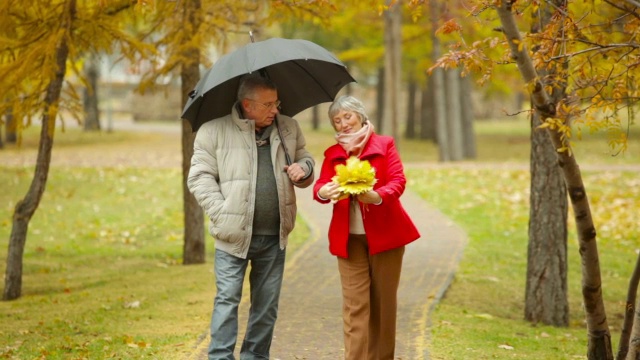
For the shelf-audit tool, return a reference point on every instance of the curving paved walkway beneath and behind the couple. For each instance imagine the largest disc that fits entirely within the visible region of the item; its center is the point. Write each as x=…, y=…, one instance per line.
x=310, y=323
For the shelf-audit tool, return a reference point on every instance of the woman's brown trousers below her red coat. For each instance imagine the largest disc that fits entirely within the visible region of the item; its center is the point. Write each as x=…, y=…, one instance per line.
x=369, y=300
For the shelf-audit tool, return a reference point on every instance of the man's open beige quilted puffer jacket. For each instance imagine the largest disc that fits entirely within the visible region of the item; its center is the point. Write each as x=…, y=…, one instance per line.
x=222, y=177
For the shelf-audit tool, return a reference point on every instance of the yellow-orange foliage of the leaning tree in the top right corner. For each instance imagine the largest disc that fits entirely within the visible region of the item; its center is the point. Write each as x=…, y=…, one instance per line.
x=590, y=69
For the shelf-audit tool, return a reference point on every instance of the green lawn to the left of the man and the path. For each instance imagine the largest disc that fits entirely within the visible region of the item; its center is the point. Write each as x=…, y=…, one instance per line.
x=102, y=274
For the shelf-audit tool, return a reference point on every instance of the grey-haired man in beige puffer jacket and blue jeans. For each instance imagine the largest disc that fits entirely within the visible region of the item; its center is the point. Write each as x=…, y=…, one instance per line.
x=240, y=176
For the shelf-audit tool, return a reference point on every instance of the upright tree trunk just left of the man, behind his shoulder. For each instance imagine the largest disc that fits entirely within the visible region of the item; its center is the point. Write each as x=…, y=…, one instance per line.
x=194, y=250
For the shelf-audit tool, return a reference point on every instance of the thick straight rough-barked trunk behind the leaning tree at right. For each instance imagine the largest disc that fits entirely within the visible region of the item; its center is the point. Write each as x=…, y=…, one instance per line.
x=546, y=298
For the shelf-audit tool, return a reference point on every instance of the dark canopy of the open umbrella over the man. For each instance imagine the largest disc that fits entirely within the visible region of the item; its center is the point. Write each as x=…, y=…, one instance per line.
x=305, y=73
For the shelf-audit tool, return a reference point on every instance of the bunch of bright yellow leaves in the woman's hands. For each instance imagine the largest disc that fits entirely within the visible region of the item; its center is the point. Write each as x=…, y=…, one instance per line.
x=355, y=177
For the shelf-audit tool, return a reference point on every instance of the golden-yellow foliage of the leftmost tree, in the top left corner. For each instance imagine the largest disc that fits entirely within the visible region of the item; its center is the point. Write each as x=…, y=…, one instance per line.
x=37, y=29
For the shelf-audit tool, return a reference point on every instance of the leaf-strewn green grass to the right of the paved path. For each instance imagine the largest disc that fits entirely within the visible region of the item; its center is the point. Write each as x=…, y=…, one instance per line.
x=484, y=308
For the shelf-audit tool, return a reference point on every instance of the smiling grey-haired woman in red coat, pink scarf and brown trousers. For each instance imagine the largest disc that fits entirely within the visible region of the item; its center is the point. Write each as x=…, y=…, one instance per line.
x=367, y=233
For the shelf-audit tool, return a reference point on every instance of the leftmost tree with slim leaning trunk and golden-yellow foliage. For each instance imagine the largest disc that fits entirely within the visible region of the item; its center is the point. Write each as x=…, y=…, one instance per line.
x=50, y=38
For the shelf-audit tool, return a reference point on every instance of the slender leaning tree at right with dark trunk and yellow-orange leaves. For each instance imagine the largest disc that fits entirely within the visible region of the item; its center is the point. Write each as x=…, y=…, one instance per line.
x=599, y=46
